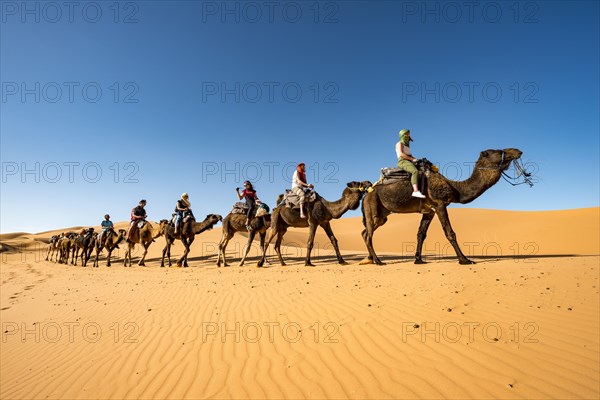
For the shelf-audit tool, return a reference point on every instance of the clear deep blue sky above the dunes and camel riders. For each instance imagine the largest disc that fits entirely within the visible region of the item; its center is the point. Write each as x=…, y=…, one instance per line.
x=162, y=98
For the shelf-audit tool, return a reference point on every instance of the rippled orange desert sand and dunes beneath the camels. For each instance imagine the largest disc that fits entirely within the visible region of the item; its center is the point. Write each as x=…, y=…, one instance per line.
x=521, y=323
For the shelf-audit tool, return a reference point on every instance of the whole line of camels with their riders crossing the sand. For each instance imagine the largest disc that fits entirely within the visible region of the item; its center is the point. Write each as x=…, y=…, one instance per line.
x=415, y=186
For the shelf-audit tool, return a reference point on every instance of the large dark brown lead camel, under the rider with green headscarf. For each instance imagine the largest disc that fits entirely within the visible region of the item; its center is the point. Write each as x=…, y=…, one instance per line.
x=396, y=197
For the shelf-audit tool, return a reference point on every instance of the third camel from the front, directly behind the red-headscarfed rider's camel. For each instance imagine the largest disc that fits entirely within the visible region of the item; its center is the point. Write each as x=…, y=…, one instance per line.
x=237, y=223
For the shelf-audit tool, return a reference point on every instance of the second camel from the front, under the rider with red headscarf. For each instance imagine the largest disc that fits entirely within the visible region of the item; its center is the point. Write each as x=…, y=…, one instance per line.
x=320, y=212
